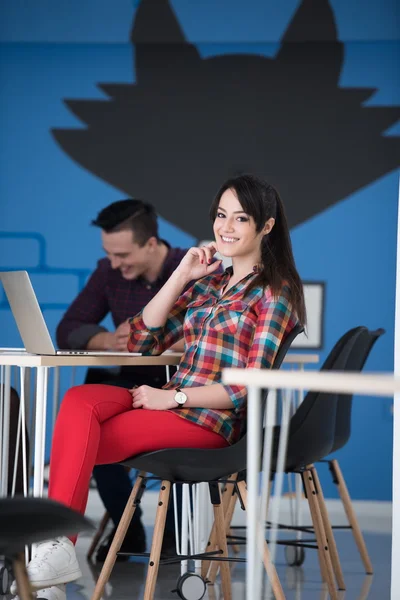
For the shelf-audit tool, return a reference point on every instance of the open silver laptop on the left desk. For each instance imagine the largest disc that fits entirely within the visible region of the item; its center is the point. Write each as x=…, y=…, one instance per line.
x=29, y=318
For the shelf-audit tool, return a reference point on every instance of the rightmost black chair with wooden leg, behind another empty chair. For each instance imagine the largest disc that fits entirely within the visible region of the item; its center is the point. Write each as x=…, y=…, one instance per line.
x=356, y=361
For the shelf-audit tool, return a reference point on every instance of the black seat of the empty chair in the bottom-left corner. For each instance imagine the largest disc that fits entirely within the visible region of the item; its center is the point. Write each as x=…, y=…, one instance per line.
x=29, y=520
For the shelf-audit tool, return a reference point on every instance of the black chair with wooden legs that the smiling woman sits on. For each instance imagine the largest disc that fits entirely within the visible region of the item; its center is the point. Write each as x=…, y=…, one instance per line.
x=188, y=466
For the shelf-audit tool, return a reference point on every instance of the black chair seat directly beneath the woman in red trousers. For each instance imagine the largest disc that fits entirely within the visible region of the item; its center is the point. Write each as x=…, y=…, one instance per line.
x=191, y=464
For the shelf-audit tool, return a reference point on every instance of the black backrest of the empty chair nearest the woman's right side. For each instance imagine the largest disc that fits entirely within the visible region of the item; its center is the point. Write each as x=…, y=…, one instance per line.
x=312, y=427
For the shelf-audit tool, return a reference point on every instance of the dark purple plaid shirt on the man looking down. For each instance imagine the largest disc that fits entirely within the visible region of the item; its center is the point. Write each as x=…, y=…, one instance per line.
x=108, y=292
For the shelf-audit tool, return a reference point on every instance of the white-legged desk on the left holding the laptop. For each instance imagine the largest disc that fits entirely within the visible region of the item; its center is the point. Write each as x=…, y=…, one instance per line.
x=42, y=364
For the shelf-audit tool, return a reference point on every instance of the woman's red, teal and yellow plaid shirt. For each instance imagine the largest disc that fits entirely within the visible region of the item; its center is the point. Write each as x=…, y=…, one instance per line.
x=234, y=330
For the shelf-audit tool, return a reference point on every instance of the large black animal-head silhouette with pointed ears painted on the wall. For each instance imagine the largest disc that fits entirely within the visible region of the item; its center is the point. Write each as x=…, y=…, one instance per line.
x=187, y=122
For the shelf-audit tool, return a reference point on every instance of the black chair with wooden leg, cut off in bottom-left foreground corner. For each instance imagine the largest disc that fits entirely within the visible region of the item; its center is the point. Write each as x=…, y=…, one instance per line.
x=24, y=521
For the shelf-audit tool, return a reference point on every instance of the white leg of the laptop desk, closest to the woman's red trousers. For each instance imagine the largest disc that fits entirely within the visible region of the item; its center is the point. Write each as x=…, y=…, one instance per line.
x=40, y=430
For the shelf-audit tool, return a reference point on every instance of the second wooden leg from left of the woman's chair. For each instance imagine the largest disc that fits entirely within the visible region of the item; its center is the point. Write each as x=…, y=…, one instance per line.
x=159, y=526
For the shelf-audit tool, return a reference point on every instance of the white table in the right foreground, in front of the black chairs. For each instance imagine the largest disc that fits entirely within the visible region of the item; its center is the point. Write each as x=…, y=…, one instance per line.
x=255, y=380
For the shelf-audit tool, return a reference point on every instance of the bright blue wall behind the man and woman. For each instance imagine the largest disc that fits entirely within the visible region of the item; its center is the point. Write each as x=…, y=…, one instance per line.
x=50, y=51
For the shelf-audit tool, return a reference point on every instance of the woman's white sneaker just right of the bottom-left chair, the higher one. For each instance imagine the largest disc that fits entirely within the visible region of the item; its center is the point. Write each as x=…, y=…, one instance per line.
x=54, y=562
